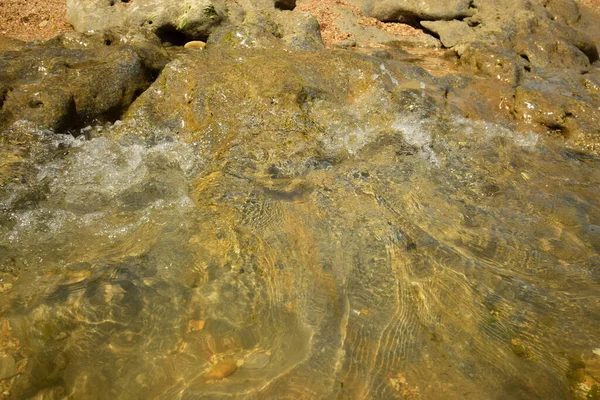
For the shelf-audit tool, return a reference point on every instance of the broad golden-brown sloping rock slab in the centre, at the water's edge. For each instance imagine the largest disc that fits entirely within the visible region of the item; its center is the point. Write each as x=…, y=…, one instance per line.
x=303, y=98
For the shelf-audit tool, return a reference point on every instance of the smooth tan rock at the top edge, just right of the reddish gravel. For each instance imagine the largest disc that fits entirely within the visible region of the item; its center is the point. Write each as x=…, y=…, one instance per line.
x=406, y=10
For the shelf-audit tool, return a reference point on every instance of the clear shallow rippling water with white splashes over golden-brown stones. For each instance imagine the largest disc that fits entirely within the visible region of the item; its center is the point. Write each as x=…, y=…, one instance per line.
x=442, y=259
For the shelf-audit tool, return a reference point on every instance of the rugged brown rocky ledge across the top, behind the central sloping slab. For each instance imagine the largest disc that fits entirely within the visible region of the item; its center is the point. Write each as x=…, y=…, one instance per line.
x=529, y=64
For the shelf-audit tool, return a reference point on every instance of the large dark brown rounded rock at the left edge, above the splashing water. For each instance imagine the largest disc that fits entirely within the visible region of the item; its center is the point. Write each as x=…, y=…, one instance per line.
x=73, y=79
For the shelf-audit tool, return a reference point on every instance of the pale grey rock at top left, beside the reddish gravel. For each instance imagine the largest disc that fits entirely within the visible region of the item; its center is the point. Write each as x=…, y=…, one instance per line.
x=192, y=20
